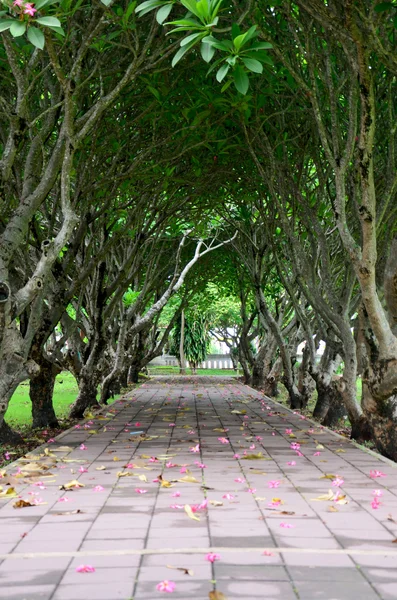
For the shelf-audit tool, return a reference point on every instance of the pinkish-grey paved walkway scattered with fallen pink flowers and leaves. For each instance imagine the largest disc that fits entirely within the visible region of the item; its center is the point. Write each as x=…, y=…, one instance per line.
x=213, y=441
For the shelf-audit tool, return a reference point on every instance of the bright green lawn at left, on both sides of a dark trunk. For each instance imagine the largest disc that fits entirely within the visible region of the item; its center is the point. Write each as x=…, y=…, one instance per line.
x=19, y=411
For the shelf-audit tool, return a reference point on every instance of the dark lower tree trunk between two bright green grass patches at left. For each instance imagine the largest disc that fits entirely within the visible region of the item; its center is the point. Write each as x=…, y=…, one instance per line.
x=41, y=392
